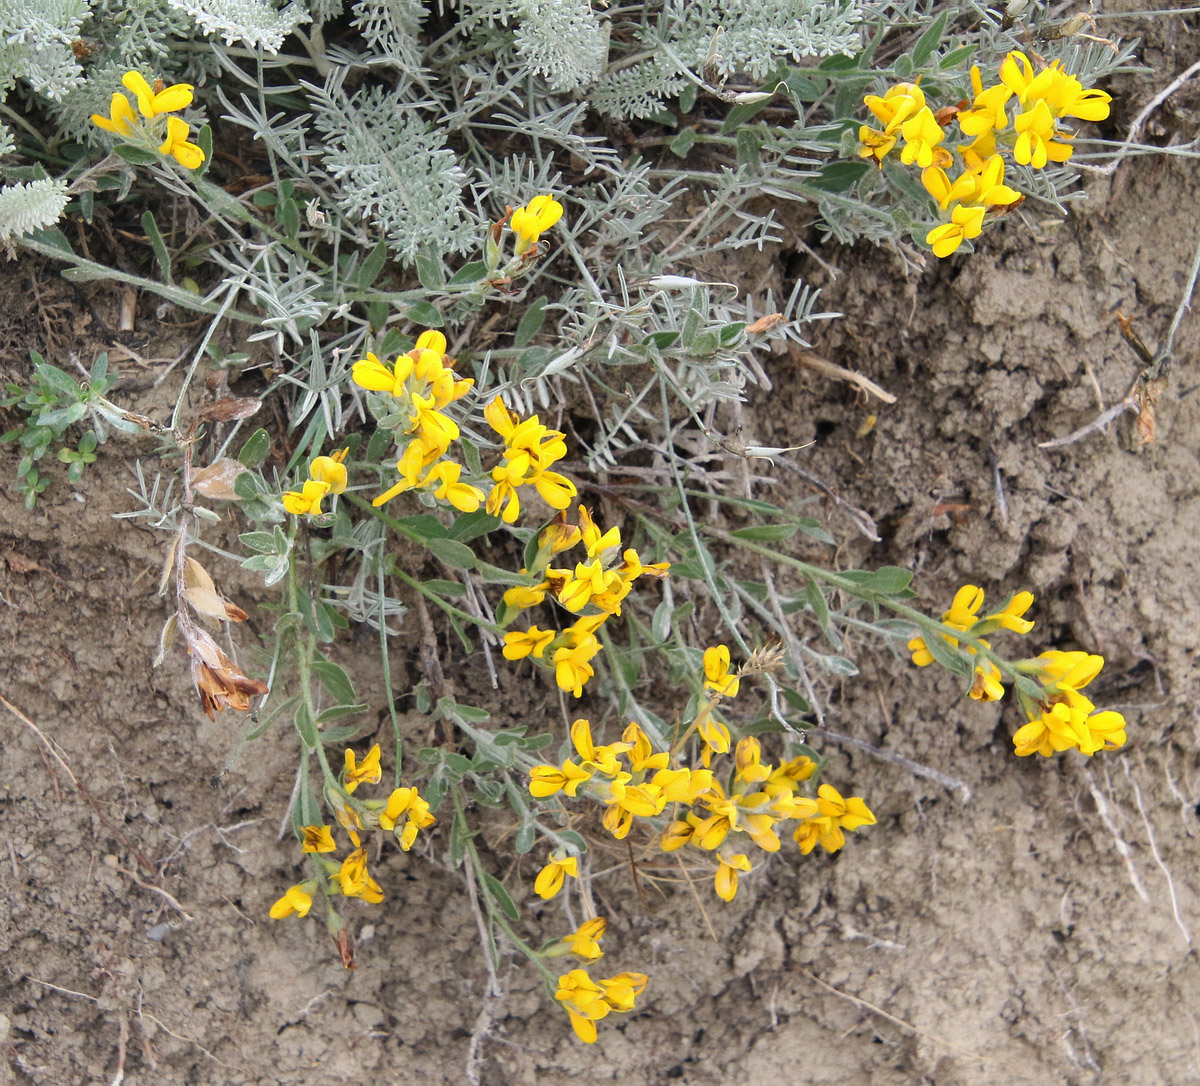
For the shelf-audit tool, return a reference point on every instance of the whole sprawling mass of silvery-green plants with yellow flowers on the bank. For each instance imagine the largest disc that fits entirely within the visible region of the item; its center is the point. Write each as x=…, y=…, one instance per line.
x=506, y=375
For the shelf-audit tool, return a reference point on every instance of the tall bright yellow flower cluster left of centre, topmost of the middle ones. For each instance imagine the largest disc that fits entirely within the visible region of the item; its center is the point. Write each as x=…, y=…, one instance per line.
x=423, y=383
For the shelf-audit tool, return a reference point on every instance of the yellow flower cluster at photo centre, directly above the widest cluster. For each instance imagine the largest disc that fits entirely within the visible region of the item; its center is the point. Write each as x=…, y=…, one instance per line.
x=599, y=585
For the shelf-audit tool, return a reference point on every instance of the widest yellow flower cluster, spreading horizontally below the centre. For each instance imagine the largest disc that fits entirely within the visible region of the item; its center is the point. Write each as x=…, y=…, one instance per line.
x=635, y=782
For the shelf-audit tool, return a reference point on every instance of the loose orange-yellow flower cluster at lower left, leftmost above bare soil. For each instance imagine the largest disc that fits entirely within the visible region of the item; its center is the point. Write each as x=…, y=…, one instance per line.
x=351, y=877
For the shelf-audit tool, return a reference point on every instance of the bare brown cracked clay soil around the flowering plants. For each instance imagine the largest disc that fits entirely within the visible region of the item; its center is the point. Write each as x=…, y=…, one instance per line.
x=1034, y=927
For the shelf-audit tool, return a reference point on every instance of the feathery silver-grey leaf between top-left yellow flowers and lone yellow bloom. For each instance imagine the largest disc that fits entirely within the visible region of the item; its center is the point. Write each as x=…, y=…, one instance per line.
x=392, y=167
